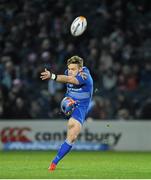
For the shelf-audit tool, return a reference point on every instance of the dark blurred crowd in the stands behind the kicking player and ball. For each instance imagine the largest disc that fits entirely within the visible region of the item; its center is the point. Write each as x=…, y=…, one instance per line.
x=116, y=47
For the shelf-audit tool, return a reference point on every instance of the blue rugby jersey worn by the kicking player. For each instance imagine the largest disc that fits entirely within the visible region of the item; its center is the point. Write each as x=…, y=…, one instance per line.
x=82, y=92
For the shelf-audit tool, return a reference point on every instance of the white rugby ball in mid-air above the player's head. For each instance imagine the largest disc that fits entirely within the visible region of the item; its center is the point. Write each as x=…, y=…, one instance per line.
x=78, y=26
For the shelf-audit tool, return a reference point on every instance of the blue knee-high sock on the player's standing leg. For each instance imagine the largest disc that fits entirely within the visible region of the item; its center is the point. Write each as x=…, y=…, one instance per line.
x=64, y=149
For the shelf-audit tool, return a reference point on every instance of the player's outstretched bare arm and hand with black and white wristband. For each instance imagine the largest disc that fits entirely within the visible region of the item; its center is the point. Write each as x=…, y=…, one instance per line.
x=59, y=78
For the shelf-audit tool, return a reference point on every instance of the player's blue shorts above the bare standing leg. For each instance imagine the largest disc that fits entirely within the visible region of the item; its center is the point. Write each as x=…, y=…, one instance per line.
x=80, y=113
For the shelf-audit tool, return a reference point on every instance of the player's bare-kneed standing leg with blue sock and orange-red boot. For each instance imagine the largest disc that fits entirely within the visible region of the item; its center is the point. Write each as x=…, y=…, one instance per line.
x=74, y=128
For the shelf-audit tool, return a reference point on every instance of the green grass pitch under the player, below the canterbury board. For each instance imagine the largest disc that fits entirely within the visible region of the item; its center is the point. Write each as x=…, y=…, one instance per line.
x=77, y=165
